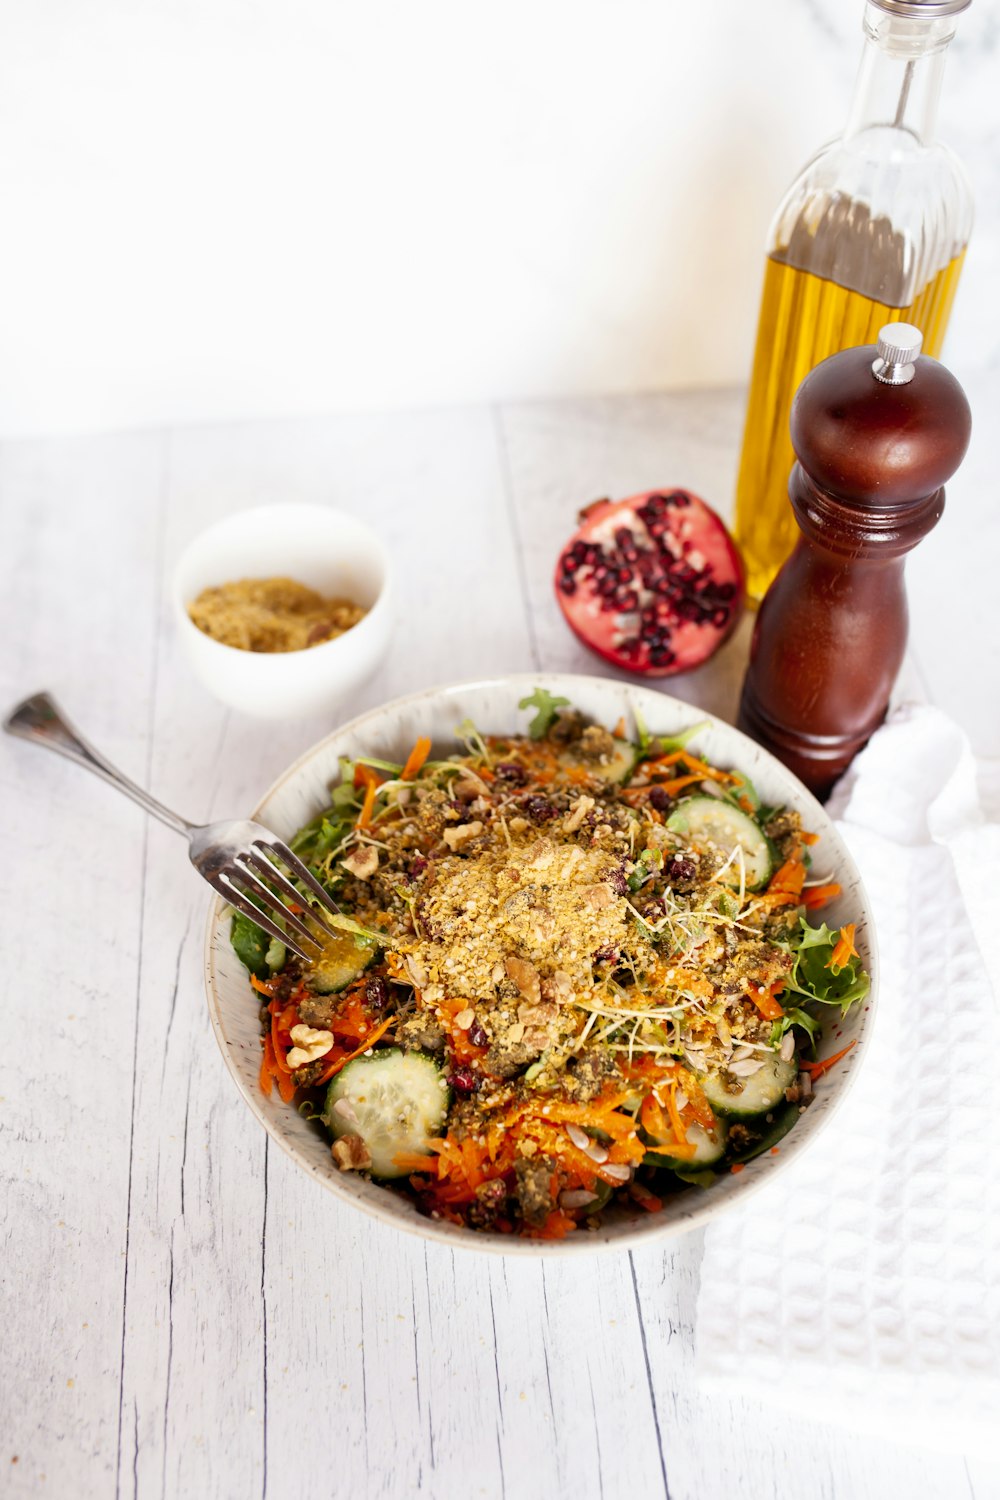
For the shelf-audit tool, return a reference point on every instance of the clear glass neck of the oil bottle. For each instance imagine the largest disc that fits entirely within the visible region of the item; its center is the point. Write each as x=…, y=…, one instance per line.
x=900, y=79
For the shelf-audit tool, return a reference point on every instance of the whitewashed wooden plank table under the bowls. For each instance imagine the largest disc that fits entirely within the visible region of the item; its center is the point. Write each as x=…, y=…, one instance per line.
x=185, y=1315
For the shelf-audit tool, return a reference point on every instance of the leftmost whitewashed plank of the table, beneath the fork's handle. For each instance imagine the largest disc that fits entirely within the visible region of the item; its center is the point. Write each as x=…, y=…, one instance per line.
x=80, y=527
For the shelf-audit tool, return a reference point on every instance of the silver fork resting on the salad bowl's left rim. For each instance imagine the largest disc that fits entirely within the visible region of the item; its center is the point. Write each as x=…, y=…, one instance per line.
x=236, y=859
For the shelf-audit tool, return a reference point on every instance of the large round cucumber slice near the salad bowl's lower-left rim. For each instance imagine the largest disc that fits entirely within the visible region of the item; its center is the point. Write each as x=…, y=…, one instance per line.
x=394, y=1100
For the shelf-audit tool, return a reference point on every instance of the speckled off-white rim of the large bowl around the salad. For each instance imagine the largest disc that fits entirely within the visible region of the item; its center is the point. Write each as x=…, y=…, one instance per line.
x=389, y=734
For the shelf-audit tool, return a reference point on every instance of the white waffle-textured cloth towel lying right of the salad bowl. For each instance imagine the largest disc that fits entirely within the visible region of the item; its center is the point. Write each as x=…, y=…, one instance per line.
x=863, y=1286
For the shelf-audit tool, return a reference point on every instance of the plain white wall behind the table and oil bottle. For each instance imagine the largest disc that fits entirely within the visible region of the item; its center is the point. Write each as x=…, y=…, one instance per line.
x=244, y=208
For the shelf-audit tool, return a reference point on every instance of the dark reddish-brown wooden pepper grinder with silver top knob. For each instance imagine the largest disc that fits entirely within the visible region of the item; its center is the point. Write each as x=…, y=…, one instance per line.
x=878, y=431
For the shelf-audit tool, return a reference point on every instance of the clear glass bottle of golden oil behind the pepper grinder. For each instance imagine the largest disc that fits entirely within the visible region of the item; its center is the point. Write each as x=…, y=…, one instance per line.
x=875, y=230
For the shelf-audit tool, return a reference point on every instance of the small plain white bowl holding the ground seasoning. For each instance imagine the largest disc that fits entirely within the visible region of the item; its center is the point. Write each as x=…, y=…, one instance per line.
x=319, y=547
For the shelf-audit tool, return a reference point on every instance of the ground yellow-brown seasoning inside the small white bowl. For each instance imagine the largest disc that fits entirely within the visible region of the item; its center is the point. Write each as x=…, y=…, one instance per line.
x=272, y=614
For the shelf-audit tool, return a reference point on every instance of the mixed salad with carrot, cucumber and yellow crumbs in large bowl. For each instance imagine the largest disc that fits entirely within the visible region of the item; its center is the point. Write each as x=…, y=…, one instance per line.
x=570, y=968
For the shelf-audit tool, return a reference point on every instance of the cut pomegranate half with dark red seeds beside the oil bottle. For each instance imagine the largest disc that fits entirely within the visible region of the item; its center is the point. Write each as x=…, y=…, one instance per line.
x=654, y=584
